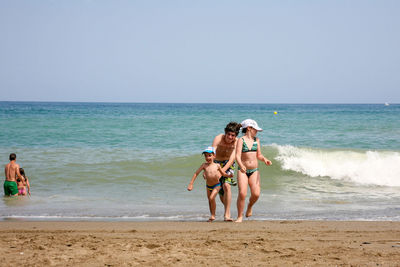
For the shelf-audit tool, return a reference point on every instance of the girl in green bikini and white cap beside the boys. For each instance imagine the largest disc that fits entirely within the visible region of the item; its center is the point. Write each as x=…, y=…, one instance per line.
x=248, y=153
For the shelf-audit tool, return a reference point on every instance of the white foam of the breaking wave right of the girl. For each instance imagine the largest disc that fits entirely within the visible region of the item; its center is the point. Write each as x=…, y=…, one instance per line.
x=365, y=167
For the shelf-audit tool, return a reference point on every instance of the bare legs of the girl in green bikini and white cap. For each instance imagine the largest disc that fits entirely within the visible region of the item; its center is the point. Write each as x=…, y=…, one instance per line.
x=254, y=183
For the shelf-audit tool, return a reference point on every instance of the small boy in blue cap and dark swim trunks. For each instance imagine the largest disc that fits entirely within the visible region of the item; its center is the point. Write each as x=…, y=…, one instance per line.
x=212, y=173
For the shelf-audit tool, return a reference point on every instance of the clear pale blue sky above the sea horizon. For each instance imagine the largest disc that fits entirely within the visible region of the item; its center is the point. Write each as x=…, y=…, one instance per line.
x=208, y=51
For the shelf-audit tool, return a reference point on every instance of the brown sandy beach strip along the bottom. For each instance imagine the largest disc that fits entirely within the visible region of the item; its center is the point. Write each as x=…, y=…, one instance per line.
x=251, y=243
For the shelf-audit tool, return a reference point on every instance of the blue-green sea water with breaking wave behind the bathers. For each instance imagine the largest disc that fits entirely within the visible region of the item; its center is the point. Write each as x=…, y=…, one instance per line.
x=133, y=161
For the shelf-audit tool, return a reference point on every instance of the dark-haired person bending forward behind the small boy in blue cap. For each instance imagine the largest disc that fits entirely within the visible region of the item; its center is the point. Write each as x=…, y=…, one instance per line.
x=225, y=145
